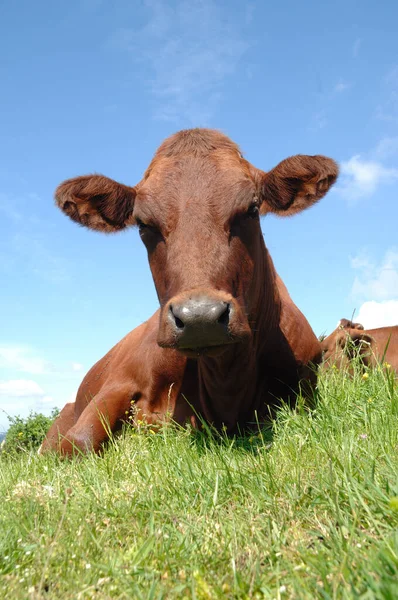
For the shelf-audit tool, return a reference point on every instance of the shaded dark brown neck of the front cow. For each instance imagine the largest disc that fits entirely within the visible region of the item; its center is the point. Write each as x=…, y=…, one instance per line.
x=228, y=383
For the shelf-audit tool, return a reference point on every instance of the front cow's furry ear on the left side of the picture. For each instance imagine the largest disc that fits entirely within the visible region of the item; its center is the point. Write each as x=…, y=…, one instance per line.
x=97, y=202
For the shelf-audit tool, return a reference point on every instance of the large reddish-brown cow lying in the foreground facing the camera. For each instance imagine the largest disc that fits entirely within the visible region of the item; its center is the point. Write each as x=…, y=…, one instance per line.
x=227, y=342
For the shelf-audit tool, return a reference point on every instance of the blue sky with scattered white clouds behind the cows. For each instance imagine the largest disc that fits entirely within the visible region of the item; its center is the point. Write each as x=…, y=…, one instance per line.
x=95, y=86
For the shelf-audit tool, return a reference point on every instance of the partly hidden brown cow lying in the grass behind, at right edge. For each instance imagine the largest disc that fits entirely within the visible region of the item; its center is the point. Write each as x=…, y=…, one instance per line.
x=372, y=345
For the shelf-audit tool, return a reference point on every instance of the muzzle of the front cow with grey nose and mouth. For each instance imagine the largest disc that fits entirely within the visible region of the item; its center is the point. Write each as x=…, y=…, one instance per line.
x=200, y=323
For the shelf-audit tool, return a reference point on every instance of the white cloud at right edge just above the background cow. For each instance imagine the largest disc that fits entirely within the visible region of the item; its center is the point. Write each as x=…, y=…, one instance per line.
x=376, y=281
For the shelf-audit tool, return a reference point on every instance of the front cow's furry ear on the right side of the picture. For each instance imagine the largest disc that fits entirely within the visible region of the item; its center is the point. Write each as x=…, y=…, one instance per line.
x=297, y=183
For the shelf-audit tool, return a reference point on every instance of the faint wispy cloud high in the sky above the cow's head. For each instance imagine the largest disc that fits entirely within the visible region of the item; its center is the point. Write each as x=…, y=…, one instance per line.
x=189, y=49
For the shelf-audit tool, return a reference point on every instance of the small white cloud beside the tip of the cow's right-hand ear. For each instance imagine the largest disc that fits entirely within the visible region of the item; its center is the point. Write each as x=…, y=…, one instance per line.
x=360, y=178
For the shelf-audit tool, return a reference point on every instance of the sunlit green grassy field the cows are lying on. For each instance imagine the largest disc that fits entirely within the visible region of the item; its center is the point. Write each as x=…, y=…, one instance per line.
x=309, y=510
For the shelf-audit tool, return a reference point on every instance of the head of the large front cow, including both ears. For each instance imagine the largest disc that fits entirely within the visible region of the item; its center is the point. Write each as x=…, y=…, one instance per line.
x=198, y=212
